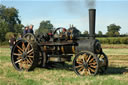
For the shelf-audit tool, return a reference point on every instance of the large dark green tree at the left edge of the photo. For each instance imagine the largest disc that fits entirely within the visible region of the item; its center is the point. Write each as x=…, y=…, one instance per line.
x=9, y=21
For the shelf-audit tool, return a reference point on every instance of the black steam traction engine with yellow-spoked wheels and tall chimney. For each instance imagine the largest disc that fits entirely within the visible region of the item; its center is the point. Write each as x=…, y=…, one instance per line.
x=89, y=58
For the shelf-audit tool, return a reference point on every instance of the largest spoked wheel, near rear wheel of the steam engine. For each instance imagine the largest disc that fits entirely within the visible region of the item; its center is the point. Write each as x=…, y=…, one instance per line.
x=24, y=55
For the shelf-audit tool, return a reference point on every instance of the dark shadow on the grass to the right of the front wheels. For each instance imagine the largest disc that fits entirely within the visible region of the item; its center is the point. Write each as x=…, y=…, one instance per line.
x=116, y=70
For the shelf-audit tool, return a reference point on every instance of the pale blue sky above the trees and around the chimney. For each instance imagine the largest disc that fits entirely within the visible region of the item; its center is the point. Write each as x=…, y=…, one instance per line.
x=61, y=13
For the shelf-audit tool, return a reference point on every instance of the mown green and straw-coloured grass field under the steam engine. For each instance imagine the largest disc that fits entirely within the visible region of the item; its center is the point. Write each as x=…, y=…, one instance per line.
x=117, y=73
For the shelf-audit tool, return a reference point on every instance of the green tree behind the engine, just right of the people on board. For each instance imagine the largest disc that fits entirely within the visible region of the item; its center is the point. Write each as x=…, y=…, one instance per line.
x=44, y=27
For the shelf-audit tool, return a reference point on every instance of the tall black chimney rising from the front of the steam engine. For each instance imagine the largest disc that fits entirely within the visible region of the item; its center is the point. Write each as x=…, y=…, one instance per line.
x=92, y=14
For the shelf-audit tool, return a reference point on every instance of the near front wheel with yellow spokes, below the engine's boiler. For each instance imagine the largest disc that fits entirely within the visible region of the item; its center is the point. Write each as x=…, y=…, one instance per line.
x=85, y=63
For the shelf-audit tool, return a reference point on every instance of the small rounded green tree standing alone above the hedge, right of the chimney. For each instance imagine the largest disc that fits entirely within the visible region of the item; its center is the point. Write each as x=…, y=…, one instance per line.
x=113, y=30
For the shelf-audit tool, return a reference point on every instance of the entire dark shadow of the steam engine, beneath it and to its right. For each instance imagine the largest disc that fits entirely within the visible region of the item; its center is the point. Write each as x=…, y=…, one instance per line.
x=64, y=66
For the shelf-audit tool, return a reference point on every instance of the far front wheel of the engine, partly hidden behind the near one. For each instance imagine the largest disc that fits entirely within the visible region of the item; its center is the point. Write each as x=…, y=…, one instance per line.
x=103, y=63
